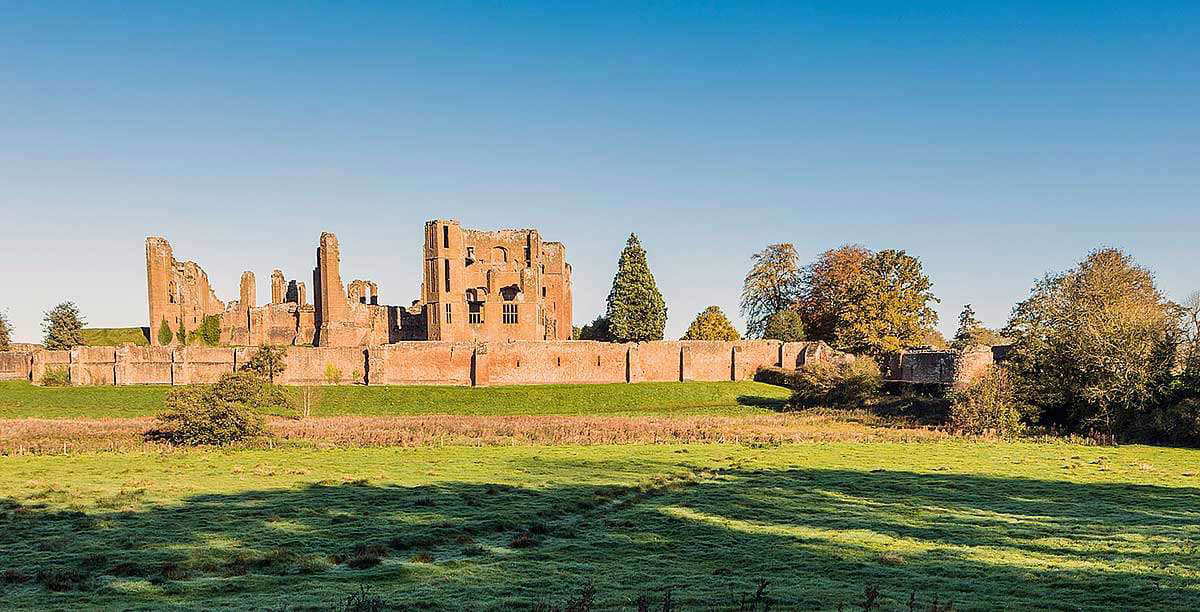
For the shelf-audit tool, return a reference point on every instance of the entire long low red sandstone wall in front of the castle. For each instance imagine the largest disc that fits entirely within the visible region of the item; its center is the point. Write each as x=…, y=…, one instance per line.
x=435, y=363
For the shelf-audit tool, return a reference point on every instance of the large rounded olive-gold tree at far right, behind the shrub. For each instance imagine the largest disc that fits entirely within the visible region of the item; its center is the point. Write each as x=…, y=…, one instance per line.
x=1091, y=344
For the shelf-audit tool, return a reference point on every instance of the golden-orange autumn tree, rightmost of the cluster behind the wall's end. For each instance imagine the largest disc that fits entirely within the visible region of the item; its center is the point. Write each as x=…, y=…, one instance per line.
x=889, y=305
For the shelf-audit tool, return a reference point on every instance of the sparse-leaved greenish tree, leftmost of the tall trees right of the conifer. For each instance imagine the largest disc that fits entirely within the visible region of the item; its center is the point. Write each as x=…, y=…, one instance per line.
x=772, y=286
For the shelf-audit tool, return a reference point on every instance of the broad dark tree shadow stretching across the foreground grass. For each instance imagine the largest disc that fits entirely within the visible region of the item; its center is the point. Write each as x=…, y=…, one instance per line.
x=818, y=536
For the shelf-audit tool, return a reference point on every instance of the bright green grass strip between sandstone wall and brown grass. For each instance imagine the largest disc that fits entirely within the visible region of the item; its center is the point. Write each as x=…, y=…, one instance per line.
x=21, y=400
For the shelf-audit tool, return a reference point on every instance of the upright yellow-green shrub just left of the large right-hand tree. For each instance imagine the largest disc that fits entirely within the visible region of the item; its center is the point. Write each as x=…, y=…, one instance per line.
x=988, y=405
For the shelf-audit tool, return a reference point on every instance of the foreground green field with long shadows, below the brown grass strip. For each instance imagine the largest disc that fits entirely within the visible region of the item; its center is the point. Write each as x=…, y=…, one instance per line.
x=988, y=526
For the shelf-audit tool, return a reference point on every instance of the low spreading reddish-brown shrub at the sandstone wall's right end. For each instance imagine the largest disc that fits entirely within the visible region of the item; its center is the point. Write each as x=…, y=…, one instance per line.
x=837, y=385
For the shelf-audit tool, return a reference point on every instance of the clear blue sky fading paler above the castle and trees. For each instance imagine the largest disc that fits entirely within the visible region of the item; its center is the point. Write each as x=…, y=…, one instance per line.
x=995, y=141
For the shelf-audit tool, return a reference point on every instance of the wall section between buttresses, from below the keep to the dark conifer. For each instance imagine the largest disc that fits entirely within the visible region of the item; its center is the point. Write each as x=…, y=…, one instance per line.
x=556, y=363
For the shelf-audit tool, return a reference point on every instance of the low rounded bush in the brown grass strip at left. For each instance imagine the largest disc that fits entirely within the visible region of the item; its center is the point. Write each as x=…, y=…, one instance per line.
x=197, y=417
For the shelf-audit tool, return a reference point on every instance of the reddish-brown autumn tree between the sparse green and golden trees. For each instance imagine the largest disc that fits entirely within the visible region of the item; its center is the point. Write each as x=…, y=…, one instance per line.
x=826, y=291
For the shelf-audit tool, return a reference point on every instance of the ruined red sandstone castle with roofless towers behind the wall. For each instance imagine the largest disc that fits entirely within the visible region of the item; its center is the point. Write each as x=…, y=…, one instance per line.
x=478, y=286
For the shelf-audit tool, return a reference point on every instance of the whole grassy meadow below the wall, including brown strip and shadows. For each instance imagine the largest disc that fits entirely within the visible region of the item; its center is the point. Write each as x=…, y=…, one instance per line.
x=513, y=499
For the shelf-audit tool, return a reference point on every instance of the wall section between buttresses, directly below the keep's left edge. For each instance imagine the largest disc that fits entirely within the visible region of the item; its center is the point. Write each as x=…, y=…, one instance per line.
x=421, y=364
